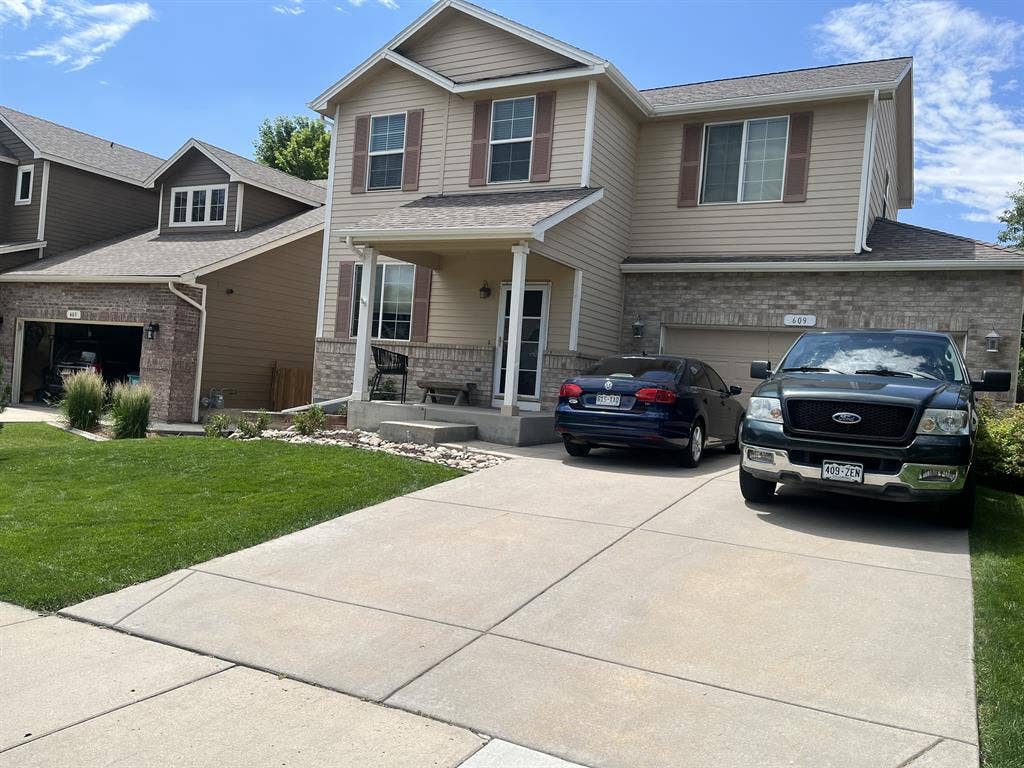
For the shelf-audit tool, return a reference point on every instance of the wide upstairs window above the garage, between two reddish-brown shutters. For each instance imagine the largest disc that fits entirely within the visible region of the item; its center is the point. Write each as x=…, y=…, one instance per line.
x=745, y=162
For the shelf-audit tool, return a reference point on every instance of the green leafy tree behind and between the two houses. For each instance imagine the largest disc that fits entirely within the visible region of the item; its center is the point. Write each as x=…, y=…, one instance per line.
x=300, y=146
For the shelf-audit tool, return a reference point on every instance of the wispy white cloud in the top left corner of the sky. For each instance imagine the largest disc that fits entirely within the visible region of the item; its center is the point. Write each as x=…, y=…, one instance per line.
x=90, y=30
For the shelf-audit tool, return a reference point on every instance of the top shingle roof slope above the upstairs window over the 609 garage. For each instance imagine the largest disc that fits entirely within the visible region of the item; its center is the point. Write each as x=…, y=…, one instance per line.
x=861, y=73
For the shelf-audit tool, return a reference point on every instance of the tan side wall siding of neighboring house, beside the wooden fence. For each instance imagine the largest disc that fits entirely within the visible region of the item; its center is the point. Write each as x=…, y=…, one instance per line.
x=271, y=317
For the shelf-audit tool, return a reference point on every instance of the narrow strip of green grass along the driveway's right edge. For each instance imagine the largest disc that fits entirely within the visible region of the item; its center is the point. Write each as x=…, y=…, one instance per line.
x=998, y=566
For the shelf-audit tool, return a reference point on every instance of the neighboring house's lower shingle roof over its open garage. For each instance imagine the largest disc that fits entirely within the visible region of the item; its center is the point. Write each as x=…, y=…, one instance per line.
x=150, y=254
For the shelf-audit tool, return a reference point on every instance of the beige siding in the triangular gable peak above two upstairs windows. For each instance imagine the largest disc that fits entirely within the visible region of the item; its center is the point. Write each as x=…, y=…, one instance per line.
x=464, y=49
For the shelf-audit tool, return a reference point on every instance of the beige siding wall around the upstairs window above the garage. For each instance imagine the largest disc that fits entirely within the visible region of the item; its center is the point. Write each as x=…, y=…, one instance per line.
x=826, y=224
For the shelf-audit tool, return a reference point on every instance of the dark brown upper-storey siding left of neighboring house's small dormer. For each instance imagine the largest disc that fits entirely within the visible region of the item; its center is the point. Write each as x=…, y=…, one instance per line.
x=83, y=208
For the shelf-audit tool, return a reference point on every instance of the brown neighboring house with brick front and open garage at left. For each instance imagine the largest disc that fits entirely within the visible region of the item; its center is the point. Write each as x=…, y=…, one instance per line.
x=198, y=273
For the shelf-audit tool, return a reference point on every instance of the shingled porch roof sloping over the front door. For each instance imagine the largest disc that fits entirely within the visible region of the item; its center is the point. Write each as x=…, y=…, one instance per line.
x=504, y=216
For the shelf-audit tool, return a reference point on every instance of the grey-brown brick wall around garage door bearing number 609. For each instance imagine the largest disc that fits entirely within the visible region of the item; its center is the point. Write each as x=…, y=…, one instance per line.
x=971, y=303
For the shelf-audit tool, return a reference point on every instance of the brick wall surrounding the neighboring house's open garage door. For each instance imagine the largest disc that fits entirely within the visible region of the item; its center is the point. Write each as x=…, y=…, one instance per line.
x=168, y=362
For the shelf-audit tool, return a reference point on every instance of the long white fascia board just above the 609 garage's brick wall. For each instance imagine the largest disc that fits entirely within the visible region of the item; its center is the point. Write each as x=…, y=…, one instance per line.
x=828, y=267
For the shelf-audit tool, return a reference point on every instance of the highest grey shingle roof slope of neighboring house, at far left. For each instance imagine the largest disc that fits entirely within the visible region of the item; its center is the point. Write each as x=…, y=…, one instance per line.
x=101, y=155
